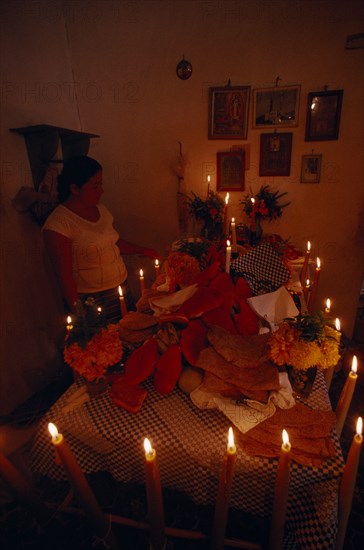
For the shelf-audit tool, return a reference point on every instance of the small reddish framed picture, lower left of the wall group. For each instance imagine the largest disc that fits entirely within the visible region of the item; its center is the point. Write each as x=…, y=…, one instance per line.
x=230, y=171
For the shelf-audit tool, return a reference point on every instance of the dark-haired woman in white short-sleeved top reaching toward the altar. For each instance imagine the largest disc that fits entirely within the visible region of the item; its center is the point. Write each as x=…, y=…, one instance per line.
x=82, y=242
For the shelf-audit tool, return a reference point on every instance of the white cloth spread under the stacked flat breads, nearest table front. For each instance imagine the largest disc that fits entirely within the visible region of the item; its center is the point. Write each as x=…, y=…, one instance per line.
x=248, y=414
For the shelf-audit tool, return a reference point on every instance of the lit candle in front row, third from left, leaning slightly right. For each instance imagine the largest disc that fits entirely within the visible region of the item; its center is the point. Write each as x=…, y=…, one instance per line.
x=223, y=494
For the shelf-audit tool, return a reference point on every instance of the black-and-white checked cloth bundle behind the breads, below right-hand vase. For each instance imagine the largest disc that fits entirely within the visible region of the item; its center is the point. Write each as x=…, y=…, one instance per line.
x=262, y=268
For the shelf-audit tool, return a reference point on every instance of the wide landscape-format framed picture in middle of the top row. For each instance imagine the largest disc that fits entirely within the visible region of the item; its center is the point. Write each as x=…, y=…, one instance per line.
x=276, y=107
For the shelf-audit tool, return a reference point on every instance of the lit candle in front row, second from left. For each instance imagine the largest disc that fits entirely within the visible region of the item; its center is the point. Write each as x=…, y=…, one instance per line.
x=154, y=498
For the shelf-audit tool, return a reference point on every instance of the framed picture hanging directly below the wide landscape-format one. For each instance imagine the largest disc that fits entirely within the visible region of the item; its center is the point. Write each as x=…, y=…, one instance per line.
x=275, y=154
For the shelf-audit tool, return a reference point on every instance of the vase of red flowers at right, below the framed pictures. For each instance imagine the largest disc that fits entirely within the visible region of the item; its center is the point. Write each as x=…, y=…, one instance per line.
x=265, y=205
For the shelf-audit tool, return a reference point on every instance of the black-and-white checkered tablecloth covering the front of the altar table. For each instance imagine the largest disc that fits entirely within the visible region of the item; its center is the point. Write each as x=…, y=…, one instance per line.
x=190, y=445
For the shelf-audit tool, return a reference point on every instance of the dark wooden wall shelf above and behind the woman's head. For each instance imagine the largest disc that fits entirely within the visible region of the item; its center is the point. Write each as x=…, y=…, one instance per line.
x=42, y=142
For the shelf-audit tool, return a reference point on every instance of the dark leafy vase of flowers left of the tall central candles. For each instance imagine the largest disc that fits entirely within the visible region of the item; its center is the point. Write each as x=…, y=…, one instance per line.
x=209, y=213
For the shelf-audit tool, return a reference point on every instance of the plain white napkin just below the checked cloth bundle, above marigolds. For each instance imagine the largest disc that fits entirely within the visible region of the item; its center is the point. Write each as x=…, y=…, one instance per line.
x=274, y=306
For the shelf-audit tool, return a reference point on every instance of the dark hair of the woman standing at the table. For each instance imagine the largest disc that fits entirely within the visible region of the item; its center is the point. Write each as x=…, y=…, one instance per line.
x=76, y=171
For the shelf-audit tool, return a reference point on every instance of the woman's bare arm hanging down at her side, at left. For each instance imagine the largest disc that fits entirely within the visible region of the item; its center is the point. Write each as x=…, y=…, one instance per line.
x=59, y=249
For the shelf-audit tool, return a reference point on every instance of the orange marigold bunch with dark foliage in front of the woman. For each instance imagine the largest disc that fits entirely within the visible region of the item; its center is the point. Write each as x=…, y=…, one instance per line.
x=90, y=346
